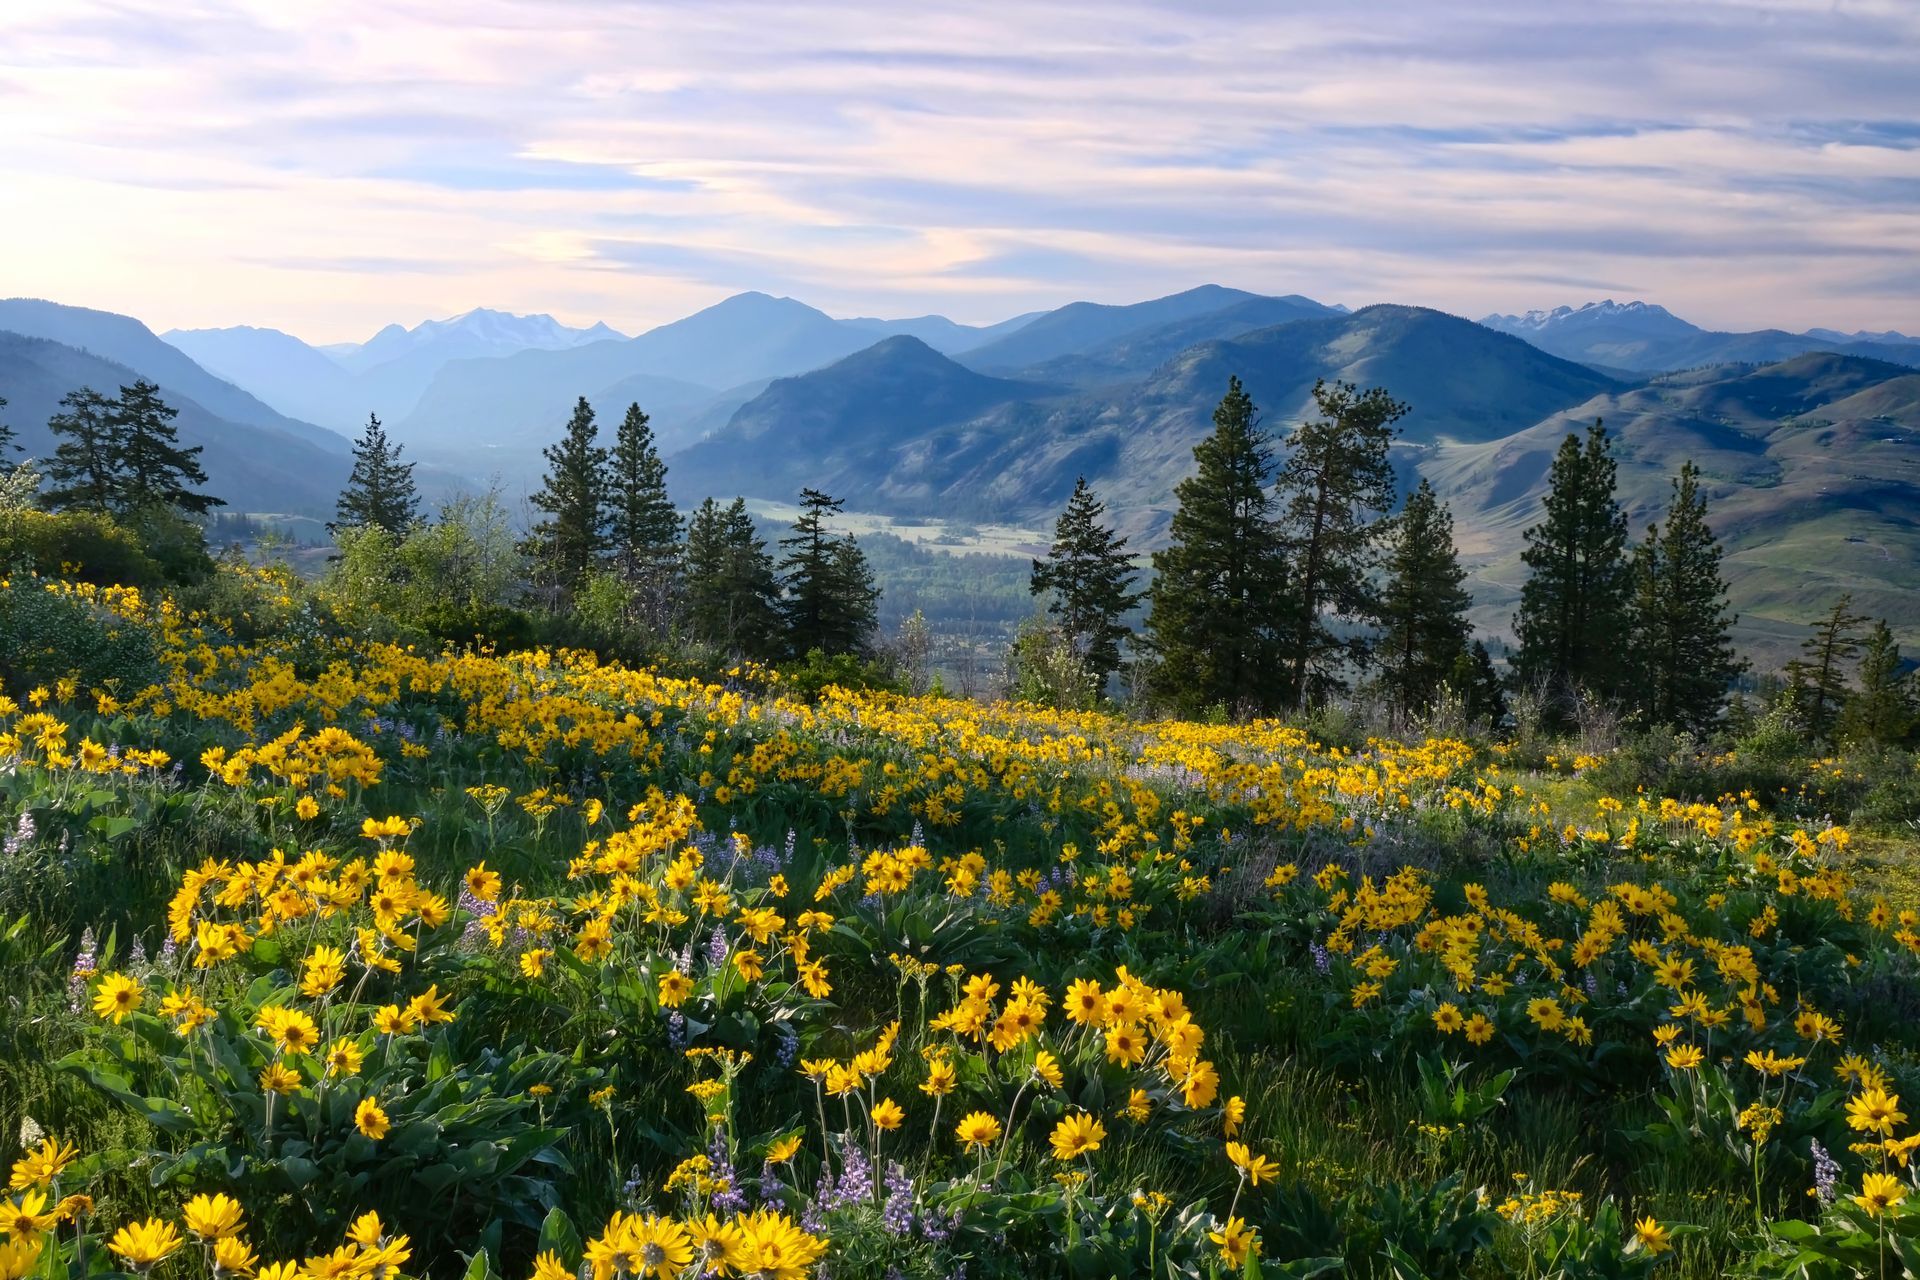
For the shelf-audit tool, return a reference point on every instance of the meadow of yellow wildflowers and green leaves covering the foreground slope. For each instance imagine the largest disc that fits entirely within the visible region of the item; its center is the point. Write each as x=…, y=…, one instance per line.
x=345, y=960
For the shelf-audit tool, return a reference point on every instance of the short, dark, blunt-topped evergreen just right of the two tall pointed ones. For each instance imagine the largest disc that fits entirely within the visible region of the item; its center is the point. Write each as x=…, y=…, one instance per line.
x=732, y=594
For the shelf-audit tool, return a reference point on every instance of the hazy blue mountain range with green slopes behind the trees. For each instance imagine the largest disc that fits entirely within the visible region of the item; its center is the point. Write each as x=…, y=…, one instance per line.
x=1808, y=440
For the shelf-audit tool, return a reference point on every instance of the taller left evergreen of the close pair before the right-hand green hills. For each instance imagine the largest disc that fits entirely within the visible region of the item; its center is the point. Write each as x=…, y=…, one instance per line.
x=1575, y=602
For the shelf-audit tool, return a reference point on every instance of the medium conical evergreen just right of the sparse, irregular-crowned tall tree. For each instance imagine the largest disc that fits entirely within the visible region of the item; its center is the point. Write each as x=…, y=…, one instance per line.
x=1424, y=607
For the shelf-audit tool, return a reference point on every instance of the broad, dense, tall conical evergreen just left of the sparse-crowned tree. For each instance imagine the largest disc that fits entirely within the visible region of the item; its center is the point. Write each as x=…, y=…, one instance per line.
x=1218, y=604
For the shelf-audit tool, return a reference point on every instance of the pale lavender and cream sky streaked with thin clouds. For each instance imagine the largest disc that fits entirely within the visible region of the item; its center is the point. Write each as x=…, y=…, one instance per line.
x=333, y=168
